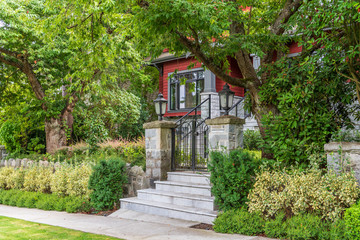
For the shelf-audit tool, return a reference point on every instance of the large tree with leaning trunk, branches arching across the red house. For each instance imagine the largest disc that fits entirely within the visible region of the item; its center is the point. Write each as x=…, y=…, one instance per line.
x=215, y=30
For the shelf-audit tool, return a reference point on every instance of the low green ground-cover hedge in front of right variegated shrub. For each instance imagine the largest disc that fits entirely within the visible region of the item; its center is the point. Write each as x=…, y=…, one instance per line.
x=300, y=227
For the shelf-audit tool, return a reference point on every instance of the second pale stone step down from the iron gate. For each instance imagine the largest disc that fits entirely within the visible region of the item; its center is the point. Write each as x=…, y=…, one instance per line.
x=181, y=187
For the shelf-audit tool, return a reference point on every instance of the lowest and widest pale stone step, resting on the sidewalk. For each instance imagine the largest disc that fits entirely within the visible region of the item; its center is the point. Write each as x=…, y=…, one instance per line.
x=168, y=210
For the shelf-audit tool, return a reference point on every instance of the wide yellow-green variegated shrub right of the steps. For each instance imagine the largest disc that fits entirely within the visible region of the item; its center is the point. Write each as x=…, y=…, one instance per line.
x=325, y=195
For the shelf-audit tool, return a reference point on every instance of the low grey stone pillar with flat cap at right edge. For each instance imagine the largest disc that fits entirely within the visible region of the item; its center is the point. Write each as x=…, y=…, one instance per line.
x=344, y=156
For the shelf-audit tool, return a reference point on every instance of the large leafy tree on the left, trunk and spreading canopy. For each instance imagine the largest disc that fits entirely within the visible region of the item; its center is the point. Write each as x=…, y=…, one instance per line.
x=59, y=67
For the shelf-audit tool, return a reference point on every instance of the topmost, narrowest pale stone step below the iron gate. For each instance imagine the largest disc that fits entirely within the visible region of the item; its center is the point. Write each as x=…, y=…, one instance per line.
x=189, y=177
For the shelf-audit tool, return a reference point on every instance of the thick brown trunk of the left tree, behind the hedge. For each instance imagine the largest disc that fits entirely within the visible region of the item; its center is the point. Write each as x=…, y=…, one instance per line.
x=58, y=130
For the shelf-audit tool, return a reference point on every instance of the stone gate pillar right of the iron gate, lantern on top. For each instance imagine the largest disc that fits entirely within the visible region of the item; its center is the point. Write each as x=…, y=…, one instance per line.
x=225, y=133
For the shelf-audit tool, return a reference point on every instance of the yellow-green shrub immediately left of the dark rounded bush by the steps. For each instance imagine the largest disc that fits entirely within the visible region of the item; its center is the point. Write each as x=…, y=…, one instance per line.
x=78, y=179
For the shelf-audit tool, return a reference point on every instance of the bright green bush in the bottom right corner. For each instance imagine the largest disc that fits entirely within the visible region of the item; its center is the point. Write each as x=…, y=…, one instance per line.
x=352, y=221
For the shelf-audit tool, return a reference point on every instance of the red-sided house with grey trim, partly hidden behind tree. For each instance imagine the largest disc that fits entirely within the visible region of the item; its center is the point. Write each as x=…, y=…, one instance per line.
x=186, y=88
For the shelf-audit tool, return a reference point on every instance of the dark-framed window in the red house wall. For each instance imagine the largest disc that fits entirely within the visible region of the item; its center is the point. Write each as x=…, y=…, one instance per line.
x=185, y=89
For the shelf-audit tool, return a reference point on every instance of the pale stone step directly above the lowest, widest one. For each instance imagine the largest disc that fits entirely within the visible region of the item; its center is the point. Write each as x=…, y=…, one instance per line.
x=181, y=199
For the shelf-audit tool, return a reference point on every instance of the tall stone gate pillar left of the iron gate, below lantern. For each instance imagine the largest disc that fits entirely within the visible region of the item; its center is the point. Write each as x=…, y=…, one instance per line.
x=158, y=149
